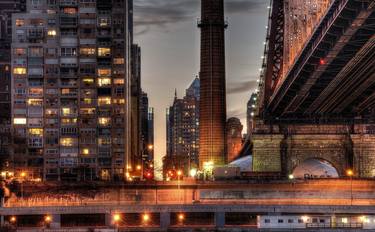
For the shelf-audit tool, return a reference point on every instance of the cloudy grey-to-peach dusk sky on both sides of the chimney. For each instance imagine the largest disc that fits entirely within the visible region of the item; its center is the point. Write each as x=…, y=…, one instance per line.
x=169, y=38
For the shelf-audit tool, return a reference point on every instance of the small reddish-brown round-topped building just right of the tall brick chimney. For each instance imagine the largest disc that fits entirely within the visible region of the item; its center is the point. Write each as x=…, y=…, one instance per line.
x=234, y=138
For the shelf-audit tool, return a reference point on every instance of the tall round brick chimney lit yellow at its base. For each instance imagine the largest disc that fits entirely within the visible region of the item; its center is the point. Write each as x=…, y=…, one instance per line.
x=212, y=80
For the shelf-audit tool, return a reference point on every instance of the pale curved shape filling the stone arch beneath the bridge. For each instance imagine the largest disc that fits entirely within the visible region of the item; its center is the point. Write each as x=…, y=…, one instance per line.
x=315, y=168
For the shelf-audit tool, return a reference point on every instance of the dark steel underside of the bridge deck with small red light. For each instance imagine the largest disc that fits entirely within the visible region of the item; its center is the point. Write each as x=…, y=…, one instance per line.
x=334, y=77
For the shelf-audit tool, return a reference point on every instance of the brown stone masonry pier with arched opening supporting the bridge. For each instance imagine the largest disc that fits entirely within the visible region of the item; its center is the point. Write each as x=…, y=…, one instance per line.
x=288, y=146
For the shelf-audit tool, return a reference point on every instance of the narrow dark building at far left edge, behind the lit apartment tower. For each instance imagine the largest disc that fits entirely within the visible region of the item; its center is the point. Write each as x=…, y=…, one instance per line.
x=7, y=8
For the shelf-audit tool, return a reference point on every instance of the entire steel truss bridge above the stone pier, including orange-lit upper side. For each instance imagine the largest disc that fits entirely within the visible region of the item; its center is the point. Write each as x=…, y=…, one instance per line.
x=319, y=61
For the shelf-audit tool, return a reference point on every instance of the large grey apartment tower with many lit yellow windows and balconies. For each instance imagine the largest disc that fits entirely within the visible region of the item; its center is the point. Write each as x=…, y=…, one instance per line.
x=71, y=89
